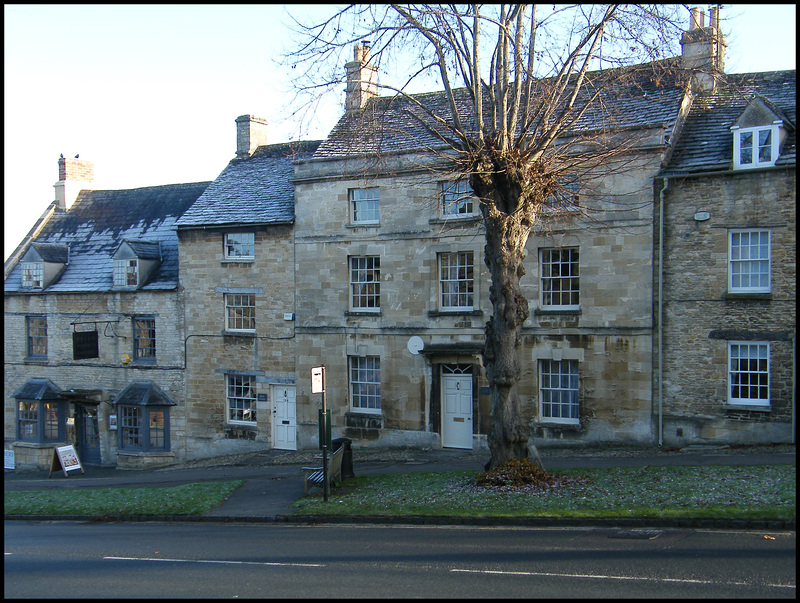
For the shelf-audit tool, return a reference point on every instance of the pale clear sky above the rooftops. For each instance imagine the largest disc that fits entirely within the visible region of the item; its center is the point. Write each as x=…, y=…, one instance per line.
x=150, y=93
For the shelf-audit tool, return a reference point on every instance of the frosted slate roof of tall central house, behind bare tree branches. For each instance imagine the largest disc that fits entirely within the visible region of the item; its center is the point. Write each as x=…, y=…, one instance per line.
x=650, y=95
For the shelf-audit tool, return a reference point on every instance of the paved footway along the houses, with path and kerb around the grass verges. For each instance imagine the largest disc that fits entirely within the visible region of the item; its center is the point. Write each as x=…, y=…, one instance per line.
x=273, y=480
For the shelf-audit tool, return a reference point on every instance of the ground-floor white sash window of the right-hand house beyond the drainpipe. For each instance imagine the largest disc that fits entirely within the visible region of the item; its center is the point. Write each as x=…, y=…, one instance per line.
x=748, y=372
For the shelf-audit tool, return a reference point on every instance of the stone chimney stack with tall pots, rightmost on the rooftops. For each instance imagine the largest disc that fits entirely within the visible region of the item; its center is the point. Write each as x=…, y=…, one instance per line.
x=703, y=50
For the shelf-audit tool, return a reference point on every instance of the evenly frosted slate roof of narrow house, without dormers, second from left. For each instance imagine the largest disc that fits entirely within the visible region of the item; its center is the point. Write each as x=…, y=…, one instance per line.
x=252, y=191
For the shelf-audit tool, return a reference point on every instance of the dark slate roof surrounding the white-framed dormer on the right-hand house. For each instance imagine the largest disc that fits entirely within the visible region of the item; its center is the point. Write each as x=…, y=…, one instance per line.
x=706, y=142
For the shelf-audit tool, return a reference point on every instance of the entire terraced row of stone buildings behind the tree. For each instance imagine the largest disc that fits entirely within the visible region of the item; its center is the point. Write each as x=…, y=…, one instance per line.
x=661, y=312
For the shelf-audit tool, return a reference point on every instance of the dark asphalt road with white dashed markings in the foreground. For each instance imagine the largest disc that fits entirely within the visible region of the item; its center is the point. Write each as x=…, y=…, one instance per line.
x=177, y=560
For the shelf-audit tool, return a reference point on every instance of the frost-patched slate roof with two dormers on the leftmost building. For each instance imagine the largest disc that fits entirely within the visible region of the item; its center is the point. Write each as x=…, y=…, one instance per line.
x=97, y=223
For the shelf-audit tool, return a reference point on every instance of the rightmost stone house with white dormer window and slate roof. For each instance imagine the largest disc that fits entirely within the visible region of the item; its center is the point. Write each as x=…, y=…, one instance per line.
x=726, y=368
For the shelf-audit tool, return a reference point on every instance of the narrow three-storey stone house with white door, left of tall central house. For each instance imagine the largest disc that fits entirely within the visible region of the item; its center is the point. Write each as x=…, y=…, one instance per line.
x=238, y=279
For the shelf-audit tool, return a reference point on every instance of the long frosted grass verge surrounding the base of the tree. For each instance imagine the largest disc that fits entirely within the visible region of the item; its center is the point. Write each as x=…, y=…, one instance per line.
x=718, y=492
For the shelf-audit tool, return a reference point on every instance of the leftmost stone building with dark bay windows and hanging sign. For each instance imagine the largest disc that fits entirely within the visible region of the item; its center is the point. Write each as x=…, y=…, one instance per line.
x=93, y=327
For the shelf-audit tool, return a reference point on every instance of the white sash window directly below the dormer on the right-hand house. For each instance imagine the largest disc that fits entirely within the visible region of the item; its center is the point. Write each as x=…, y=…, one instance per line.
x=749, y=261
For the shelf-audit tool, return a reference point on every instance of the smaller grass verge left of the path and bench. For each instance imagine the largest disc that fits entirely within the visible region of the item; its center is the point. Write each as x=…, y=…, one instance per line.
x=187, y=499
